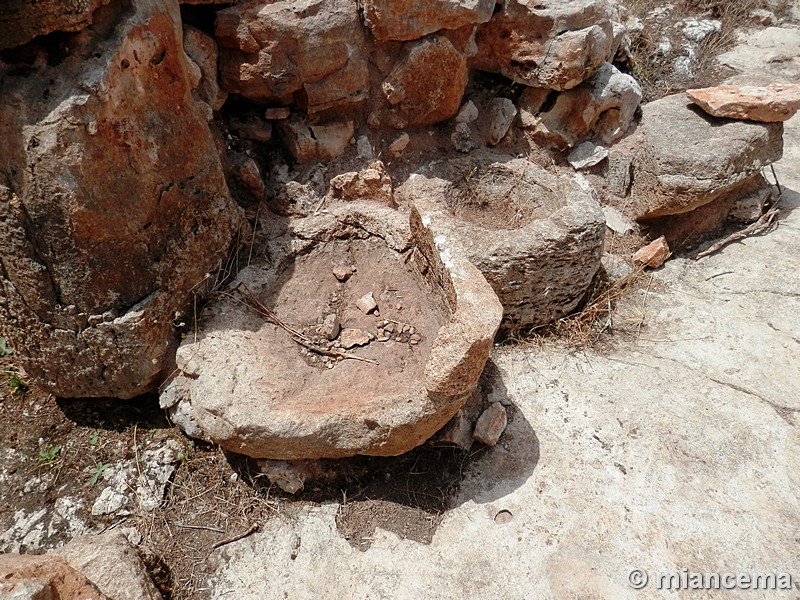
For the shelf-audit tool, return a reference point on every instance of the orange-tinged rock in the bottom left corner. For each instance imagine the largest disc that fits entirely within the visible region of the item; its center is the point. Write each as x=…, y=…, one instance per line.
x=43, y=577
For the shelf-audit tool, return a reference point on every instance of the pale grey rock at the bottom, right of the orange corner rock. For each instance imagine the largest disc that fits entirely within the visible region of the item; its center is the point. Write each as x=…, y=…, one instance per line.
x=112, y=565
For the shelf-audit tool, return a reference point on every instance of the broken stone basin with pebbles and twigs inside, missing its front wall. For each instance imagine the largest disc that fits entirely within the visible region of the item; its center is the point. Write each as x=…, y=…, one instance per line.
x=249, y=386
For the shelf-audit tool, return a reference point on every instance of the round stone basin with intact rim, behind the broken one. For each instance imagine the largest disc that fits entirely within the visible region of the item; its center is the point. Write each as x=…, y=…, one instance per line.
x=535, y=236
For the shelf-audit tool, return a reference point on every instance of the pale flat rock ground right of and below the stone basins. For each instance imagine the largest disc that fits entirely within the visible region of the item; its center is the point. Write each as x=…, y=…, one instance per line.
x=677, y=452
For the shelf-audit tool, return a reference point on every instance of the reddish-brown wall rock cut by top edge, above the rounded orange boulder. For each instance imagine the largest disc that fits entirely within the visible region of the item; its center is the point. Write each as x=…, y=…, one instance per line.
x=412, y=19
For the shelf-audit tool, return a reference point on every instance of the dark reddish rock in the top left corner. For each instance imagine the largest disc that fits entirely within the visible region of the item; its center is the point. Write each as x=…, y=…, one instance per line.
x=23, y=20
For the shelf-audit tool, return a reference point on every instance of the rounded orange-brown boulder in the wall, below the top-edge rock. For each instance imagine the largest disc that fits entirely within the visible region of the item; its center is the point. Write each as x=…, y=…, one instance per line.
x=425, y=86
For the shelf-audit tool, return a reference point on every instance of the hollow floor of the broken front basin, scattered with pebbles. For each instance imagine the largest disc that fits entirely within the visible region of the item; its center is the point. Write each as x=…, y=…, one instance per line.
x=306, y=290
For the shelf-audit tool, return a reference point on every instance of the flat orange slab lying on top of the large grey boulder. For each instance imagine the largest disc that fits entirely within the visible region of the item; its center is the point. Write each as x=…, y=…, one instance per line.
x=773, y=103
